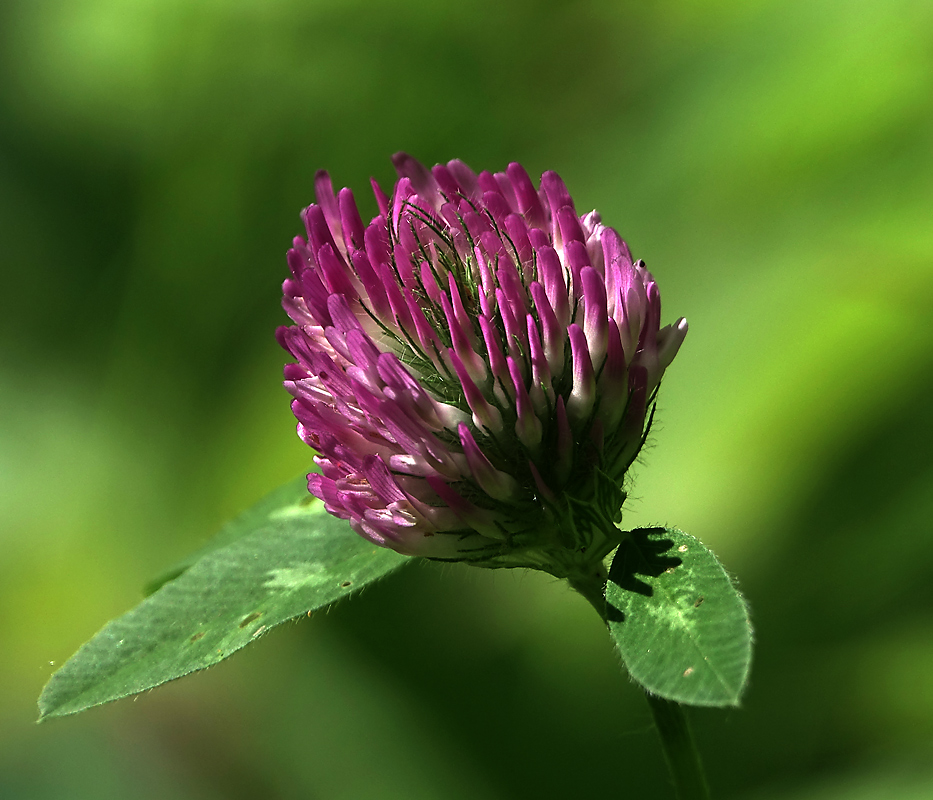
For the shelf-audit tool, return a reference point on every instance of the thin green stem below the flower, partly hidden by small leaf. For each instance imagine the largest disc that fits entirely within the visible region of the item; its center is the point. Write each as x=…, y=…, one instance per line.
x=680, y=751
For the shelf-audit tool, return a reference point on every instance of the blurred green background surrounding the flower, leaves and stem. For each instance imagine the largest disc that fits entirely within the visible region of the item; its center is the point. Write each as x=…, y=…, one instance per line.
x=773, y=164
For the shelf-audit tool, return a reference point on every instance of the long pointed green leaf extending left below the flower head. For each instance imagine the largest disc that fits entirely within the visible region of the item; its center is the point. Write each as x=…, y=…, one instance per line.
x=283, y=558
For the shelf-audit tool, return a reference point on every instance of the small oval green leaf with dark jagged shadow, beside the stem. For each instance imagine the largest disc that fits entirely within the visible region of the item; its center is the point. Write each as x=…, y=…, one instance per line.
x=680, y=625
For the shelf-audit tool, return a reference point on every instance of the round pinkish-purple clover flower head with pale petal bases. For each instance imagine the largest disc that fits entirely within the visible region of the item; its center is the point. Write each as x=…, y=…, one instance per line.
x=475, y=367
